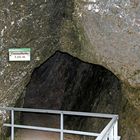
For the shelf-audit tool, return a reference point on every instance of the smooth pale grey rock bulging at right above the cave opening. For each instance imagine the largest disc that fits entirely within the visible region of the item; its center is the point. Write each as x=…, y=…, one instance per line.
x=113, y=29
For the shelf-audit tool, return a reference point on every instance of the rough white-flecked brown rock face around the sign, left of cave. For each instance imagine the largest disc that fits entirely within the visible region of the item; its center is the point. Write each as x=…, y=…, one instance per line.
x=33, y=24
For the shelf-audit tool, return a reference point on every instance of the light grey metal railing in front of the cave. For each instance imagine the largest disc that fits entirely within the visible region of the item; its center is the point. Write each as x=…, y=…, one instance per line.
x=110, y=132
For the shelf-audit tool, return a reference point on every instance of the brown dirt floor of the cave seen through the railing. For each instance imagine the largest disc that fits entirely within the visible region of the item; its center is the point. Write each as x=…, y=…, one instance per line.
x=39, y=120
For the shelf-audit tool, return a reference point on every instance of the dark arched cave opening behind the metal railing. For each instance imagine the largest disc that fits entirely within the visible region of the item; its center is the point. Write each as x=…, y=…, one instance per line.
x=64, y=82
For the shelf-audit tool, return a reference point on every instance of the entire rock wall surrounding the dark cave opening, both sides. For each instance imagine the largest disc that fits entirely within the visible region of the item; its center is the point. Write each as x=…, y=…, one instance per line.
x=100, y=32
